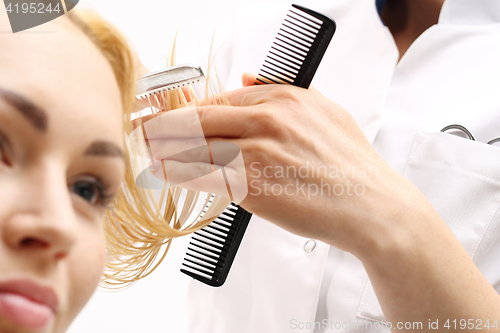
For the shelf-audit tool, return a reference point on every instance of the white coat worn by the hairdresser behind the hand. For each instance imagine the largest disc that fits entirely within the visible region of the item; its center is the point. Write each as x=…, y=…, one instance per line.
x=450, y=75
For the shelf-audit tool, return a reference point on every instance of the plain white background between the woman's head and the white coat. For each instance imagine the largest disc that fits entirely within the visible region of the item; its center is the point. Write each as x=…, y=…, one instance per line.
x=157, y=303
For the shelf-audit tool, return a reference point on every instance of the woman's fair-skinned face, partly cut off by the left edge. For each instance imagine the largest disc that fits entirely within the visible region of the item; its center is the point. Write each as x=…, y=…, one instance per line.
x=61, y=162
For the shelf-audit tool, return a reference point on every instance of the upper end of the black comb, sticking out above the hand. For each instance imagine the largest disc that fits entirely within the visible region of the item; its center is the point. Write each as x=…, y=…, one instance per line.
x=298, y=49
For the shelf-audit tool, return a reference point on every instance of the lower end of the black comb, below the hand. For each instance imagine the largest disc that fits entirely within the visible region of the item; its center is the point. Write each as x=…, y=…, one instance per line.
x=212, y=249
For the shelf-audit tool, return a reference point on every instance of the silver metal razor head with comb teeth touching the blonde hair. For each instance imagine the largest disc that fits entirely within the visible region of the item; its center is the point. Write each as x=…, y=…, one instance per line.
x=168, y=79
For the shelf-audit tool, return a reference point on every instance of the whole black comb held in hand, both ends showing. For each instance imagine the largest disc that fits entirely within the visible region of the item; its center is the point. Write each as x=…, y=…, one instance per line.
x=293, y=59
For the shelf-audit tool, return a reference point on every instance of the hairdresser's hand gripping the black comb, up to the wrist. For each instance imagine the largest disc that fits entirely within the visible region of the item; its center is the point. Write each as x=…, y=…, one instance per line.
x=309, y=167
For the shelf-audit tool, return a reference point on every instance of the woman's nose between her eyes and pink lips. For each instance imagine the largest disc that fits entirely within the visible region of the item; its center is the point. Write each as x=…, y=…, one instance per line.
x=42, y=221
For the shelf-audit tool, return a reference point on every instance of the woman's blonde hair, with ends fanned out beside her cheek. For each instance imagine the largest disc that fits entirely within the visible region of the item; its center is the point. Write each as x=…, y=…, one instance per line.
x=139, y=229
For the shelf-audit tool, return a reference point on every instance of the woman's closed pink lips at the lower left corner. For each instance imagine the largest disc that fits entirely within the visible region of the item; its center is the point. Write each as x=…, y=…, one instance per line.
x=27, y=303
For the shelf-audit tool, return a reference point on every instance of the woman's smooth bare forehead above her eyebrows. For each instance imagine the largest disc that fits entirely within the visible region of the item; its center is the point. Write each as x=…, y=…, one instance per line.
x=58, y=68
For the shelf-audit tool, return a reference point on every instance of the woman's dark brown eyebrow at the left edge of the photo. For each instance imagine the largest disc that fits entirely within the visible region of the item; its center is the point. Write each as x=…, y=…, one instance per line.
x=34, y=114
